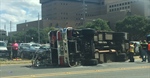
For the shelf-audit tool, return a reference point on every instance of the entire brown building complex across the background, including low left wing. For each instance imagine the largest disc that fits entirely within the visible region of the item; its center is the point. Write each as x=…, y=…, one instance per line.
x=64, y=13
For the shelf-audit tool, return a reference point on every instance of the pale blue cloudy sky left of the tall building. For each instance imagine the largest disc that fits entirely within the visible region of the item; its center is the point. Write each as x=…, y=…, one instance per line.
x=17, y=11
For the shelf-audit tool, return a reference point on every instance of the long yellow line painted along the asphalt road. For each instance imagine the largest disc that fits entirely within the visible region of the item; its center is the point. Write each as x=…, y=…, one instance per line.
x=77, y=72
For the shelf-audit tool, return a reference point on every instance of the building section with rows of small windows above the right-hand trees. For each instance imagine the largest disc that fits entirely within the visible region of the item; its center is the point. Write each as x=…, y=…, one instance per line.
x=119, y=9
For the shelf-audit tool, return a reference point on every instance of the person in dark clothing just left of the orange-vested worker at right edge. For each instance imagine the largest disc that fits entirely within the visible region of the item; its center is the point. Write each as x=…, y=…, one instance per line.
x=144, y=50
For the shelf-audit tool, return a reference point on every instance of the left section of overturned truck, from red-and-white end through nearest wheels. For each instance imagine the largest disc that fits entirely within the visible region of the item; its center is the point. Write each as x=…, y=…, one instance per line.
x=72, y=47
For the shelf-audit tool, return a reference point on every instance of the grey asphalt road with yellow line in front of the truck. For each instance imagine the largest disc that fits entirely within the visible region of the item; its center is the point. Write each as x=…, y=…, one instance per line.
x=106, y=70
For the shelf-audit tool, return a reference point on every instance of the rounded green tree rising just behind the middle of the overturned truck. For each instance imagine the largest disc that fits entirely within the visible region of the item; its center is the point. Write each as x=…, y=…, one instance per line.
x=98, y=24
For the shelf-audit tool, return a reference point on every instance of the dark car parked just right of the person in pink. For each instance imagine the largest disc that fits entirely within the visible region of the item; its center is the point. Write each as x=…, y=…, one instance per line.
x=26, y=51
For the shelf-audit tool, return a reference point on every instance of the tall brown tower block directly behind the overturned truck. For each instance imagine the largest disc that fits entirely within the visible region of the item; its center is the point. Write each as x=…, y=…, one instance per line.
x=70, y=12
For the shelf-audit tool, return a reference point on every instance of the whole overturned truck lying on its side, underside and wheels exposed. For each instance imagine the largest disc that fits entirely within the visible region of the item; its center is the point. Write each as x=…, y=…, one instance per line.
x=73, y=47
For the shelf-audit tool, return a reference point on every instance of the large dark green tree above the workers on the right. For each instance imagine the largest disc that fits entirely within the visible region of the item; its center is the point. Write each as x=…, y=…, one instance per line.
x=136, y=26
